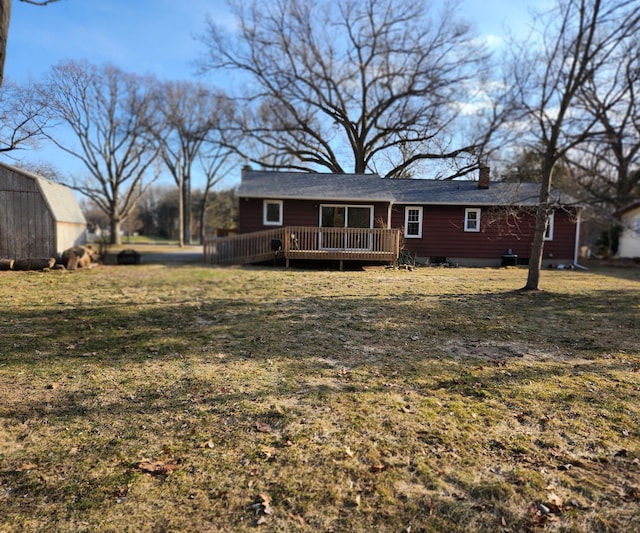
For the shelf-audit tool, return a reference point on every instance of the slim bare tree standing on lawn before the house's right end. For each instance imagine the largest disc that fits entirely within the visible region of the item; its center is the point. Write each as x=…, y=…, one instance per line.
x=578, y=39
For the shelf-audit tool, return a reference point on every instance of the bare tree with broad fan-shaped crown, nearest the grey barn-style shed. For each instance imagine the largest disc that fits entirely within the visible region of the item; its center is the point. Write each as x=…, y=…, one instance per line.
x=108, y=111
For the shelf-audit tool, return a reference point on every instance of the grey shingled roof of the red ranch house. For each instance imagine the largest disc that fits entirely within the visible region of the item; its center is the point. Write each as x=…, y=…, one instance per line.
x=373, y=188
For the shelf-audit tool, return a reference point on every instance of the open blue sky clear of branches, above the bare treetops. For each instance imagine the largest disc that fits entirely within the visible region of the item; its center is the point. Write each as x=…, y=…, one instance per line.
x=158, y=36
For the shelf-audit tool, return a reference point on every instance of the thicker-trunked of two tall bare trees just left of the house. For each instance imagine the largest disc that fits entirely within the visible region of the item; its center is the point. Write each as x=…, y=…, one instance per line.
x=190, y=113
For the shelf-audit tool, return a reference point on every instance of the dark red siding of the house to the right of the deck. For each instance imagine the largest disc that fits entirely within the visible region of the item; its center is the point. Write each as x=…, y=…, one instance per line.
x=443, y=234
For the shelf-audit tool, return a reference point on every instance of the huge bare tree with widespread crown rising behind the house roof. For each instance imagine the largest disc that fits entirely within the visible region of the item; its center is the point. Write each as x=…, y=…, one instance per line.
x=353, y=85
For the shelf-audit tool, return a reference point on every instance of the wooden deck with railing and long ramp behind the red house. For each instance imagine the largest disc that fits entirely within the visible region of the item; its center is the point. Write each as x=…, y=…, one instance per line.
x=341, y=244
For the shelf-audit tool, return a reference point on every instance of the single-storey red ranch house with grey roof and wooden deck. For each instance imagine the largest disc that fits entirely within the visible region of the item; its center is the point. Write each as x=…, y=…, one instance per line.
x=366, y=217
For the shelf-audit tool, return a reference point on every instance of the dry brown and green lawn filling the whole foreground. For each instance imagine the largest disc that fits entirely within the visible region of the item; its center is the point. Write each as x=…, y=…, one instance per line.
x=184, y=398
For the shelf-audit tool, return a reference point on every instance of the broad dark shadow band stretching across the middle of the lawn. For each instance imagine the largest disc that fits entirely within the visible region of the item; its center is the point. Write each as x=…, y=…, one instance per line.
x=352, y=331
